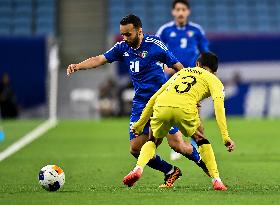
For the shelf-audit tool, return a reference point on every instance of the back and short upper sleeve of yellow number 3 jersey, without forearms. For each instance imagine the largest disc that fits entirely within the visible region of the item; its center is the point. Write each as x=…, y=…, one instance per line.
x=188, y=87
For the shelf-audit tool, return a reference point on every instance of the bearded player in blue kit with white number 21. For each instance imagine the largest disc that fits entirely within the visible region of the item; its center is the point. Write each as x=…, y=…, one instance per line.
x=143, y=56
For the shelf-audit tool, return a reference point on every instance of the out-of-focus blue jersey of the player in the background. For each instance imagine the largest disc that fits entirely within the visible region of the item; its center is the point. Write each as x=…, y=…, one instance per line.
x=184, y=42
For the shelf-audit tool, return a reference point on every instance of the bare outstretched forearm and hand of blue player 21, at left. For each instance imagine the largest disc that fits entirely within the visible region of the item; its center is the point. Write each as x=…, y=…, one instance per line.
x=92, y=62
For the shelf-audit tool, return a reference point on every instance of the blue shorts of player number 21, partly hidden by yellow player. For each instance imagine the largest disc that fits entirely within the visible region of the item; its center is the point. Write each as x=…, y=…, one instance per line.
x=135, y=115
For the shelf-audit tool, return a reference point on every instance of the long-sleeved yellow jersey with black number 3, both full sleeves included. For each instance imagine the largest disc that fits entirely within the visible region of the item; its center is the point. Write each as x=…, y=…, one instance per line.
x=186, y=89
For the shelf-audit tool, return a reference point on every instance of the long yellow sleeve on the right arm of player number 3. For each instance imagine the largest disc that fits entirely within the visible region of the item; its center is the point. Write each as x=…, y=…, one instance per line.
x=217, y=93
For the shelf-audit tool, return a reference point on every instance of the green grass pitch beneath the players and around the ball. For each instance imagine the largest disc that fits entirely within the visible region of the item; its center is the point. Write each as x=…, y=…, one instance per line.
x=95, y=156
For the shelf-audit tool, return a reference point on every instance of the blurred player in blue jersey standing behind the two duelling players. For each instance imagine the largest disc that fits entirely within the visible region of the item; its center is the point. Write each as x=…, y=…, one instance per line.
x=184, y=39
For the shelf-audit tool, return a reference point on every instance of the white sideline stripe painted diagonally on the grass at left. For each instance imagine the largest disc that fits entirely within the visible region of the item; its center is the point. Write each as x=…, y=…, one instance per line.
x=28, y=138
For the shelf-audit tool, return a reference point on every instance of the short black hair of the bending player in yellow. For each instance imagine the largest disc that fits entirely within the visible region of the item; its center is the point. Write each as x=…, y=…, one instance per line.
x=209, y=60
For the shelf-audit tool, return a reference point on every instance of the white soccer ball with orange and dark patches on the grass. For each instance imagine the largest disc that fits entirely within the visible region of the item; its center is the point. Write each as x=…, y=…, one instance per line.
x=51, y=177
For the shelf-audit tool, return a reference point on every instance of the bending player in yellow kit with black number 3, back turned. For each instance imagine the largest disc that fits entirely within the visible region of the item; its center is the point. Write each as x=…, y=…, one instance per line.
x=175, y=103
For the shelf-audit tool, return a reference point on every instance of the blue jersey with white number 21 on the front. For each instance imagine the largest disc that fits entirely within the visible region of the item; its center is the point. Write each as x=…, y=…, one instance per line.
x=144, y=64
